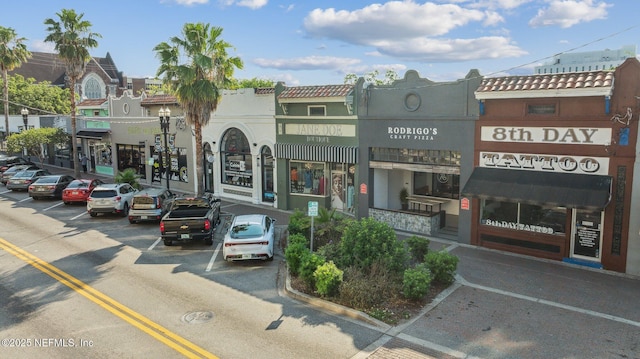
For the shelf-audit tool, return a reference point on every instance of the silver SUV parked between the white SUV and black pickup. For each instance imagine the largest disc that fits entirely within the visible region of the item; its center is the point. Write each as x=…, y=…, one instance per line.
x=150, y=205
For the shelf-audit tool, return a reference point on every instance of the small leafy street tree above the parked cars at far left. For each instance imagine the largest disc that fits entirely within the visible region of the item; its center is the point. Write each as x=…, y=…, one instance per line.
x=35, y=141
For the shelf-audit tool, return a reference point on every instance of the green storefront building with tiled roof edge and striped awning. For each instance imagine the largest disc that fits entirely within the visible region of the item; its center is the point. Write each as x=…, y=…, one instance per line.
x=316, y=147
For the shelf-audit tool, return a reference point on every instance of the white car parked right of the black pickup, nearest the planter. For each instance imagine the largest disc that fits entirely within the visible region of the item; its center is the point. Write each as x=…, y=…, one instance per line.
x=250, y=236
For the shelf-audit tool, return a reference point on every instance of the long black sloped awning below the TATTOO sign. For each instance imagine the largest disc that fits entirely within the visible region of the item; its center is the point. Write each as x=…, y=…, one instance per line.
x=534, y=187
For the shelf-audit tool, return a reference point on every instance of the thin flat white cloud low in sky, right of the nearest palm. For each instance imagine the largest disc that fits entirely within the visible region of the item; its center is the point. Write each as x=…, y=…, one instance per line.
x=307, y=63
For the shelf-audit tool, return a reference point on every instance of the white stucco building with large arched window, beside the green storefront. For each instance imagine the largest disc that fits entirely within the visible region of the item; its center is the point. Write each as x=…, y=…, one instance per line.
x=238, y=147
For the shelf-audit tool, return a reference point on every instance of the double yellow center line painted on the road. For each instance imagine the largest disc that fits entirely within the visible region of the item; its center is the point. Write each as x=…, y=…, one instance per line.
x=165, y=336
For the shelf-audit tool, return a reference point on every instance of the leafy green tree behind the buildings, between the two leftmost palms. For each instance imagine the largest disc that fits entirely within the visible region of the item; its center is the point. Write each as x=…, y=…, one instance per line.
x=41, y=97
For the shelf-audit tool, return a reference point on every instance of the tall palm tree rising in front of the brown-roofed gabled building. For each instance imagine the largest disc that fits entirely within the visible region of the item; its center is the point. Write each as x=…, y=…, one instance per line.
x=73, y=38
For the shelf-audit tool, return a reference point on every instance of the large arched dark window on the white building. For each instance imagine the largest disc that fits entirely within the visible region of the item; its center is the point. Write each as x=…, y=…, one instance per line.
x=237, y=162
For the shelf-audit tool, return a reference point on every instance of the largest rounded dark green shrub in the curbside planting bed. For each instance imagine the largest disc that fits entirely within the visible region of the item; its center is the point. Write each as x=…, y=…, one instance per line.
x=367, y=241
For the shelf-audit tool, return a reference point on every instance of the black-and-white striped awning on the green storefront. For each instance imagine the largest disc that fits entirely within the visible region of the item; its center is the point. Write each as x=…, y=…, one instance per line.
x=336, y=154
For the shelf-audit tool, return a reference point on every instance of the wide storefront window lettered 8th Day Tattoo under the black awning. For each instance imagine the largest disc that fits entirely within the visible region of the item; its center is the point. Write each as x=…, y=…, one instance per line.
x=524, y=217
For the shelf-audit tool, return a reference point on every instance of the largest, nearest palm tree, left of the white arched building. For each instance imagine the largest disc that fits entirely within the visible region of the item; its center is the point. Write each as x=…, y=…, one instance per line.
x=198, y=82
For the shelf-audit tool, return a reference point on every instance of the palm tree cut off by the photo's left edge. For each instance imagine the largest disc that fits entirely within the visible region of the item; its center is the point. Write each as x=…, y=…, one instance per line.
x=13, y=52
